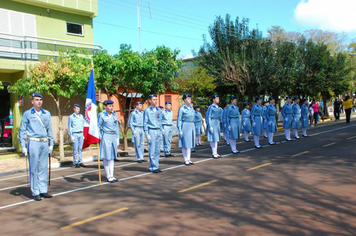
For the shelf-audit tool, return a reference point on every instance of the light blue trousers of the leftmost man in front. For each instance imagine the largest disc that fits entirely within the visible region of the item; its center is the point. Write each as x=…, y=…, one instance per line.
x=38, y=159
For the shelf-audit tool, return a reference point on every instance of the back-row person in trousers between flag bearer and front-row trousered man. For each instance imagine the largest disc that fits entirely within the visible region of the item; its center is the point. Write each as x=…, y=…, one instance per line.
x=136, y=126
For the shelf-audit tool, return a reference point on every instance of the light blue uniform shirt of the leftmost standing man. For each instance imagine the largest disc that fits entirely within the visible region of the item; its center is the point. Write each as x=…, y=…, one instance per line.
x=32, y=127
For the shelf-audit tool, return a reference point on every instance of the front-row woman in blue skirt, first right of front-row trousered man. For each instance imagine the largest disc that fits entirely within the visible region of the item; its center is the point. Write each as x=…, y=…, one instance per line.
x=186, y=129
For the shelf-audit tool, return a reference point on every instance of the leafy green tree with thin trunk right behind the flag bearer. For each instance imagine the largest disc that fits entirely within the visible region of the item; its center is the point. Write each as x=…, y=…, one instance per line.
x=131, y=73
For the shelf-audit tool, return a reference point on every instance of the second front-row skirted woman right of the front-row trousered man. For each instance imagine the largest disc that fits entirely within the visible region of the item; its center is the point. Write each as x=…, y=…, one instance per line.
x=213, y=125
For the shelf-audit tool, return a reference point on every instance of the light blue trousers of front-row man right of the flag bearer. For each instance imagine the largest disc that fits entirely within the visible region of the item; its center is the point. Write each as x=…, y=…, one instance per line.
x=154, y=147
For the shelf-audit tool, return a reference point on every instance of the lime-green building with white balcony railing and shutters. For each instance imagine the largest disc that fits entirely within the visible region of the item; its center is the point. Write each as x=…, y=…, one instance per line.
x=32, y=31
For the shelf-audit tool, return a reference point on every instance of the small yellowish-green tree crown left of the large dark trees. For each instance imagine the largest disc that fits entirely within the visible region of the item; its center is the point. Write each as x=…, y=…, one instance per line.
x=195, y=81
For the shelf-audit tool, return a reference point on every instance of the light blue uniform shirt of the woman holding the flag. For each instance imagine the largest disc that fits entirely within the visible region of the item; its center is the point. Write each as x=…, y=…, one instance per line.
x=108, y=123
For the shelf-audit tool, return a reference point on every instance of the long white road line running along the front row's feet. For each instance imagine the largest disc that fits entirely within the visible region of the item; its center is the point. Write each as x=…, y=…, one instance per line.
x=174, y=167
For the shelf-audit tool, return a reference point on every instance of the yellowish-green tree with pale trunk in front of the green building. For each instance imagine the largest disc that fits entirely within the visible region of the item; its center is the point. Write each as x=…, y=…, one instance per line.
x=66, y=78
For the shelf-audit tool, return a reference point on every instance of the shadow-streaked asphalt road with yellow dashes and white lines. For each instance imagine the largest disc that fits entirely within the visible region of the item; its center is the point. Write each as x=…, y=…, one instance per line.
x=304, y=187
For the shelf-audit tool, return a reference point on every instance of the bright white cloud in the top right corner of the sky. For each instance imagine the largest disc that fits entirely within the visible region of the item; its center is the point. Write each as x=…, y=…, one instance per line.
x=332, y=15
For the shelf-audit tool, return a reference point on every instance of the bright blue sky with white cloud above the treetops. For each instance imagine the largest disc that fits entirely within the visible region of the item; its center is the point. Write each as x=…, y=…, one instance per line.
x=182, y=24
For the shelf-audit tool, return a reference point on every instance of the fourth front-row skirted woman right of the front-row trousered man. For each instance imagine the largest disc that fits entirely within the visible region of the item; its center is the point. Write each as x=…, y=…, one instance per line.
x=256, y=119
